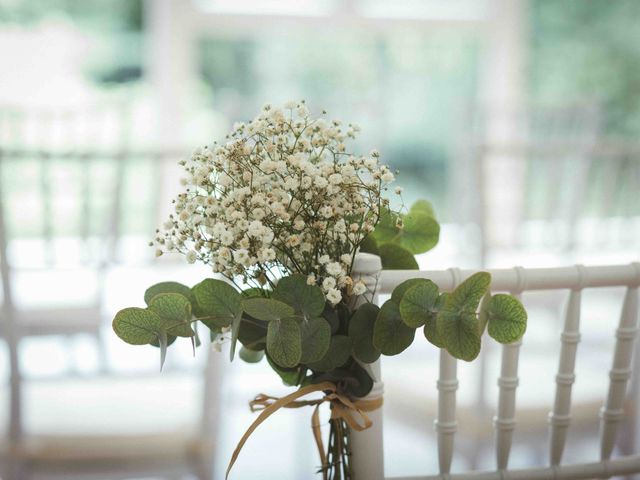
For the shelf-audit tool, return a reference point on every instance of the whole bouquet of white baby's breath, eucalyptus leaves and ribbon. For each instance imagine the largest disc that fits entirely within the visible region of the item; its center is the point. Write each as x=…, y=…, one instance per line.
x=280, y=210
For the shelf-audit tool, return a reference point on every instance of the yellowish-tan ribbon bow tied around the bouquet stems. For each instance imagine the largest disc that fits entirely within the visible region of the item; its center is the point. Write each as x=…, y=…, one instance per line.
x=343, y=408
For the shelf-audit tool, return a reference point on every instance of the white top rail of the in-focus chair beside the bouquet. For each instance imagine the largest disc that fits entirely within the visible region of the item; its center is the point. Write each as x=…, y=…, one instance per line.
x=521, y=279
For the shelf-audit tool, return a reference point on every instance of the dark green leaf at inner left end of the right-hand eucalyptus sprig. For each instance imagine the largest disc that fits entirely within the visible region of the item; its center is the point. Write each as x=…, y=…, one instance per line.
x=390, y=334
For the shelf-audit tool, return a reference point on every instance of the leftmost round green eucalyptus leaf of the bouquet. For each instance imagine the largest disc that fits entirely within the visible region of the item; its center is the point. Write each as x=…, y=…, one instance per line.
x=139, y=326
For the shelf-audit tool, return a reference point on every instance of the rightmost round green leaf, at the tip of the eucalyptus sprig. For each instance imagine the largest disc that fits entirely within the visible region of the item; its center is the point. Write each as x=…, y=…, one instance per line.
x=507, y=318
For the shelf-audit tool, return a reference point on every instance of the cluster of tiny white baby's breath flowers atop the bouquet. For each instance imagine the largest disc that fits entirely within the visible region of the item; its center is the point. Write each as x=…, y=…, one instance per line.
x=282, y=195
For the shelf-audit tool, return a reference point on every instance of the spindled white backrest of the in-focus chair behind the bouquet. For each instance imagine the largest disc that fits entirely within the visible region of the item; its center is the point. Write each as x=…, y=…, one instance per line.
x=516, y=281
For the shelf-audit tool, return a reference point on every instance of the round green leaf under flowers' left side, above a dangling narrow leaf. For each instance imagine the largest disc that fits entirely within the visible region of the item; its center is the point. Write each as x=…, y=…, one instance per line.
x=217, y=302
